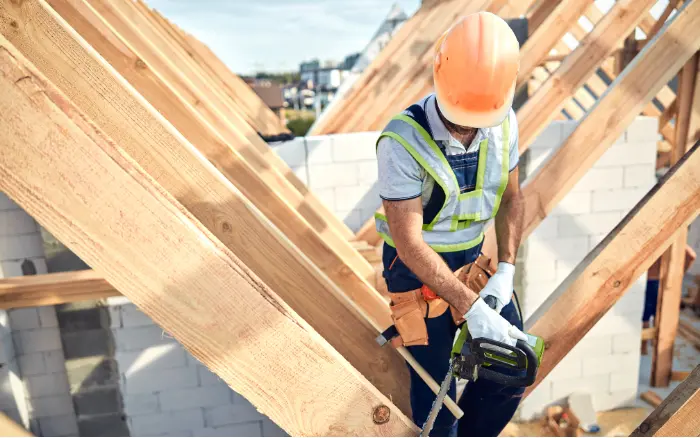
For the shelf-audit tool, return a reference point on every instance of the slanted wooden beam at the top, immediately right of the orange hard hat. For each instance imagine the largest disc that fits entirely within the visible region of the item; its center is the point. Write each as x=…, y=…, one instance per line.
x=553, y=28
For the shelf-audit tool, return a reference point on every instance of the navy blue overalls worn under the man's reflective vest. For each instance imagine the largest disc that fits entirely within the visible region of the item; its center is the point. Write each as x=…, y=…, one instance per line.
x=487, y=406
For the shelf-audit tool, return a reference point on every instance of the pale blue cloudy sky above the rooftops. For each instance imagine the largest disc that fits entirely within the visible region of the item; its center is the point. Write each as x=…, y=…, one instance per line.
x=275, y=35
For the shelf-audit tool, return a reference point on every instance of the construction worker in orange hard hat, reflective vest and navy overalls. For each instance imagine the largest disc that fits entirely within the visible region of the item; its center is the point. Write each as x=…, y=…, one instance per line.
x=447, y=165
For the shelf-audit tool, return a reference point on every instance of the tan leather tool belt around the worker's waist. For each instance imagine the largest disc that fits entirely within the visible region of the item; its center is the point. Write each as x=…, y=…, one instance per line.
x=409, y=310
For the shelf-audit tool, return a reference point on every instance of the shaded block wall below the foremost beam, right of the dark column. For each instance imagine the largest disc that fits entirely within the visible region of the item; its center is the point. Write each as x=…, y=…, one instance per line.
x=167, y=392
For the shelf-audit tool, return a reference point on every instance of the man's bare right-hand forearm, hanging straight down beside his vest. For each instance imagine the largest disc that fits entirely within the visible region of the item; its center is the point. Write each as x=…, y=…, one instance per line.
x=509, y=220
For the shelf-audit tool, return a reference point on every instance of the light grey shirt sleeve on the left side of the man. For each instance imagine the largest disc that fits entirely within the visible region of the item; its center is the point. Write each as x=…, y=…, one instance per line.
x=400, y=174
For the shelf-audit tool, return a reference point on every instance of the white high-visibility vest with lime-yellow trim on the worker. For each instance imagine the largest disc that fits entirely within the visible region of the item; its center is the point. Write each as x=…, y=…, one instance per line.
x=459, y=225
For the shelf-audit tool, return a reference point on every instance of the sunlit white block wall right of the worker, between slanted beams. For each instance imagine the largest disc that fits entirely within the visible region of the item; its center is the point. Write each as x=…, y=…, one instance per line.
x=606, y=362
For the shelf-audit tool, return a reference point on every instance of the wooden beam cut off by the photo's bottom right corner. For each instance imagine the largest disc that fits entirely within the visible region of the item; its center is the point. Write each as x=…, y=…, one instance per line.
x=678, y=413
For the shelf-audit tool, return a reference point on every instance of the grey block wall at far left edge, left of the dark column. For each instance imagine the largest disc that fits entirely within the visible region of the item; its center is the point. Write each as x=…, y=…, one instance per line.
x=34, y=385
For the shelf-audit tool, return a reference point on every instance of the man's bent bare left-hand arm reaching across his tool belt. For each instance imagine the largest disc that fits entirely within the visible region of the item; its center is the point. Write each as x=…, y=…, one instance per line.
x=405, y=219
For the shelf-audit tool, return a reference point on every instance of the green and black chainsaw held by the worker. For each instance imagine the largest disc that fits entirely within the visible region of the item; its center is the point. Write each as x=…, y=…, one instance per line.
x=483, y=358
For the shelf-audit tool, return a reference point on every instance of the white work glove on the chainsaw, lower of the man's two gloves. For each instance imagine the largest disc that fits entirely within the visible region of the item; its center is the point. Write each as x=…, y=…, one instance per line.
x=484, y=322
